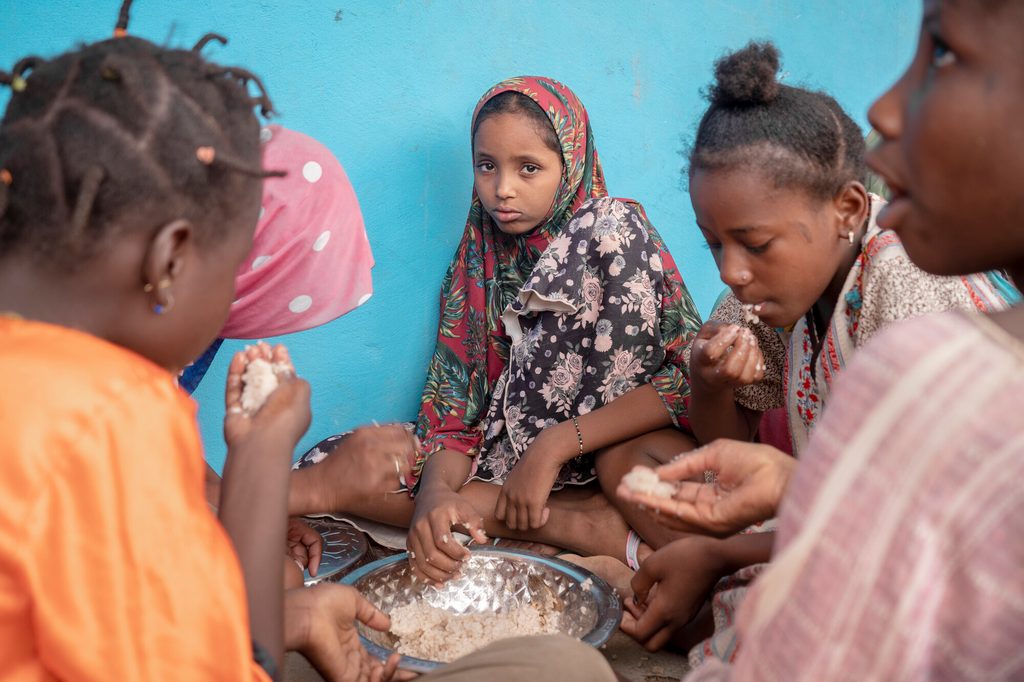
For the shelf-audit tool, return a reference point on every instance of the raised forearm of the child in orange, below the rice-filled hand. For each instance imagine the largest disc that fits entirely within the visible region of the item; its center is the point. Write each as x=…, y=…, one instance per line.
x=253, y=510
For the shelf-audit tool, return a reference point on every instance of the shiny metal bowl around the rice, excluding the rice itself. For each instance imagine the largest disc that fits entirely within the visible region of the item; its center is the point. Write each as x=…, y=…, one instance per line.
x=493, y=581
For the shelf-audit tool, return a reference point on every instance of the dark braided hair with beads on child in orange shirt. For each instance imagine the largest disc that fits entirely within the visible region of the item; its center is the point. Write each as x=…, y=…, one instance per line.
x=120, y=136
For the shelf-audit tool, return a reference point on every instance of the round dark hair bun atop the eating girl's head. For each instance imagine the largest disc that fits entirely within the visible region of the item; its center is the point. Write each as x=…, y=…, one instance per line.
x=747, y=77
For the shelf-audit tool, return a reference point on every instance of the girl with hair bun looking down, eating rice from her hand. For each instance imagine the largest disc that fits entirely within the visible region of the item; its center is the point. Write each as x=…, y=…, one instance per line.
x=778, y=185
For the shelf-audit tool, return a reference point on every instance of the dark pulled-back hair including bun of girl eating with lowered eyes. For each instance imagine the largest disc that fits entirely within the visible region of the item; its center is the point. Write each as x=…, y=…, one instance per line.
x=798, y=138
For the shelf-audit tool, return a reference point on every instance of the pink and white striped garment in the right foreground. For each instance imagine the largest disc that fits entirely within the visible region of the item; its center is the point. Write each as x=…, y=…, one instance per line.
x=902, y=541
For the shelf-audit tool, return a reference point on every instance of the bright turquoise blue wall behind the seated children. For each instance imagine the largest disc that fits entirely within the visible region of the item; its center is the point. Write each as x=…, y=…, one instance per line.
x=390, y=88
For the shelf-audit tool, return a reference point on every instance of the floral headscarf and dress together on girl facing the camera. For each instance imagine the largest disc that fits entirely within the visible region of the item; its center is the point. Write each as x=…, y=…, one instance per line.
x=518, y=311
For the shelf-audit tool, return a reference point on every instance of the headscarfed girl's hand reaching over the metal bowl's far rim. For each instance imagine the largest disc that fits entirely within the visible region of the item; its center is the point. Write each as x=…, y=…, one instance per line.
x=434, y=553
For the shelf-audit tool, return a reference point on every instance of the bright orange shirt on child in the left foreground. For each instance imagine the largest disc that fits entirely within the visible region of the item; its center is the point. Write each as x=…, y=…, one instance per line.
x=112, y=567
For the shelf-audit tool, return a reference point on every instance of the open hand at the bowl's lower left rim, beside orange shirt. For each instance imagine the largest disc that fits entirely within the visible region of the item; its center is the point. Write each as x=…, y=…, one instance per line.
x=320, y=623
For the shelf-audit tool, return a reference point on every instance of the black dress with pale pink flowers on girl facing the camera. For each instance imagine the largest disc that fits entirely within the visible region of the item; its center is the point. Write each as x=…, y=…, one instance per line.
x=586, y=329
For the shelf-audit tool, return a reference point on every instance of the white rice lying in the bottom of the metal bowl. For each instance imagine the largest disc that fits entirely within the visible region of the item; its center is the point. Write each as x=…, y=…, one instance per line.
x=435, y=634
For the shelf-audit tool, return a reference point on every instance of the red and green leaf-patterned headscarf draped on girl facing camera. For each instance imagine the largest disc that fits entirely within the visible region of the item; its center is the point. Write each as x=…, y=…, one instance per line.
x=488, y=272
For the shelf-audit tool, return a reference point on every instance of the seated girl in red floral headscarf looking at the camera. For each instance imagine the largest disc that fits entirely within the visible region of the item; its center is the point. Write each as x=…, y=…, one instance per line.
x=563, y=324
